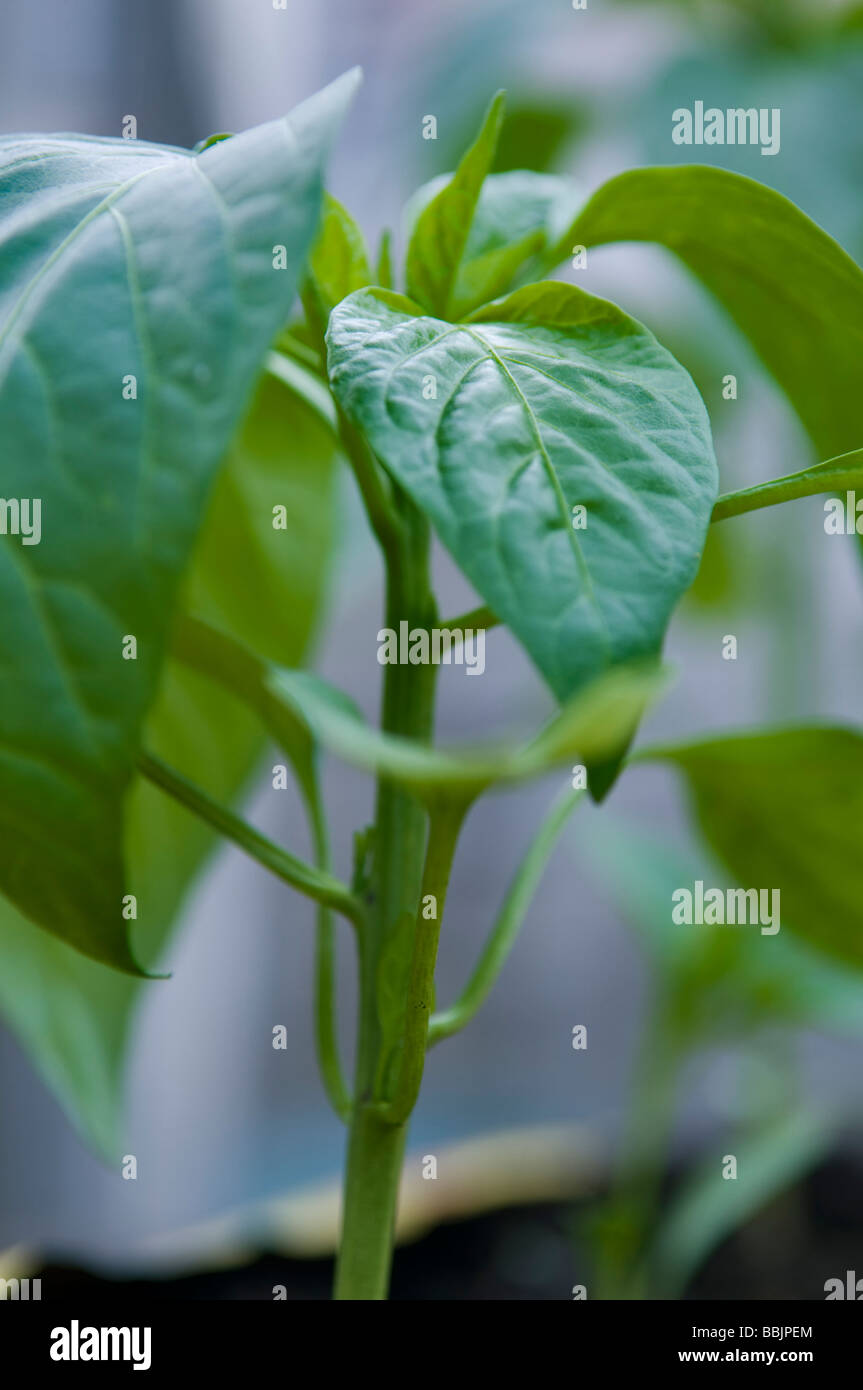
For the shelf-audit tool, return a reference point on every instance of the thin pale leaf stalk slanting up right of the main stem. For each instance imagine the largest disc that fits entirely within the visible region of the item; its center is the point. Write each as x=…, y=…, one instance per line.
x=507, y=929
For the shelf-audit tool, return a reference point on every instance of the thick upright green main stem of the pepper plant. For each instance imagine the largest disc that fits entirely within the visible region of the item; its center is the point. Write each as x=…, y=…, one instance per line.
x=376, y=1146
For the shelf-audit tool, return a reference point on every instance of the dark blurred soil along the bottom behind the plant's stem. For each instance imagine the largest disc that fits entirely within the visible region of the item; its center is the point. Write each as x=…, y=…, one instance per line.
x=805, y=1238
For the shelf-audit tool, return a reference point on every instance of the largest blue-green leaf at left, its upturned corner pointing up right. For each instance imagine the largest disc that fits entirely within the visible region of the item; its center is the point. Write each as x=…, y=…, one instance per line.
x=119, y=261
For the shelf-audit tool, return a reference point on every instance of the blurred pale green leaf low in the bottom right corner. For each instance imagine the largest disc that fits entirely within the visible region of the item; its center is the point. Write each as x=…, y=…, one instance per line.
x=709, y=1209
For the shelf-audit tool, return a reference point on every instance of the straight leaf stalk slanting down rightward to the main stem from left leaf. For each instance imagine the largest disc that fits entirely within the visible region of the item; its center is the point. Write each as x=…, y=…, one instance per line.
x=316, y=885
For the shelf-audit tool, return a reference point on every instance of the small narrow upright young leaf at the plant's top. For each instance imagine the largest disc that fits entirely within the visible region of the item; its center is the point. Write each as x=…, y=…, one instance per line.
x=440, y=236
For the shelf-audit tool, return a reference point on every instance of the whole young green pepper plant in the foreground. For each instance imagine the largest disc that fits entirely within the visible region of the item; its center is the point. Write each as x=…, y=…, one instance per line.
x=173, y=422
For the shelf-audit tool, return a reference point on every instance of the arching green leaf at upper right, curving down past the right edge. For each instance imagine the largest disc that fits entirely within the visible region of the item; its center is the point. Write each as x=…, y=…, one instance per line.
x=793, y=291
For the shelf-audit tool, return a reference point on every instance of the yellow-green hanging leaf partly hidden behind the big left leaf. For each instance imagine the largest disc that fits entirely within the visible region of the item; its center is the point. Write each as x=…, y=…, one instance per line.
x=72, y=1014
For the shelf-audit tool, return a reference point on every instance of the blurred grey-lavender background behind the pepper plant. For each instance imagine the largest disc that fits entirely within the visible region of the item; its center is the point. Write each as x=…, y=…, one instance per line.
x=237, y=1149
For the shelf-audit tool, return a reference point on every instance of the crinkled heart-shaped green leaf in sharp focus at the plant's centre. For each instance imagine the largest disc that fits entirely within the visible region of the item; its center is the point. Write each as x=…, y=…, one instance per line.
x=498, y=429
